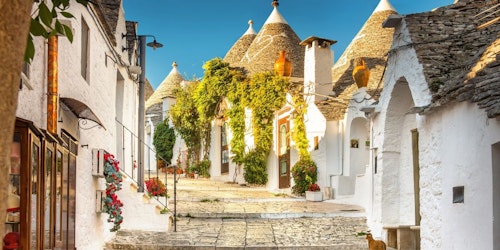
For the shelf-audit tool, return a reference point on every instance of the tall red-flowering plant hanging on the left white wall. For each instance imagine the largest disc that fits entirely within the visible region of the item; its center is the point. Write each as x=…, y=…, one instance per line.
x=112, y=205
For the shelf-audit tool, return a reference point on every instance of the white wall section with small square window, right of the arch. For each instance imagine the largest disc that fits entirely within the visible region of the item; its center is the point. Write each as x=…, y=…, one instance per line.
x=463, y=137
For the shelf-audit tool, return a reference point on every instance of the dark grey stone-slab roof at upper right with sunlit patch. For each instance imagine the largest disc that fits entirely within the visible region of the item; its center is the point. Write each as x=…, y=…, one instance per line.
x=459, y=49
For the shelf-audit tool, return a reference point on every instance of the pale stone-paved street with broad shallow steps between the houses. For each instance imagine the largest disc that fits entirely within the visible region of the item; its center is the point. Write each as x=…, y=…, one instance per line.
x=217, y=215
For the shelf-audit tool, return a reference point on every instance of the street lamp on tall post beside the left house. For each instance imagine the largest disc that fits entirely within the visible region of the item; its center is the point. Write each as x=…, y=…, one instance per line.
x=142, y=102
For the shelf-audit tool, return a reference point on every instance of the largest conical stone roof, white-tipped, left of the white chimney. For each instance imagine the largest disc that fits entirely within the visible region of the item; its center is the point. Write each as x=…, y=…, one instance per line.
x=275, y=35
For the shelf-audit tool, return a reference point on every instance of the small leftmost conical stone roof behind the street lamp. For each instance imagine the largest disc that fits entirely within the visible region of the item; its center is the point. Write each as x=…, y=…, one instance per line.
x=166, y=88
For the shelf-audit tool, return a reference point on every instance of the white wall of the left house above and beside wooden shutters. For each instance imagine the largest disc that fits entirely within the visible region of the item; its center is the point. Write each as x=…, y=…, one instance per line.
x=98, y=92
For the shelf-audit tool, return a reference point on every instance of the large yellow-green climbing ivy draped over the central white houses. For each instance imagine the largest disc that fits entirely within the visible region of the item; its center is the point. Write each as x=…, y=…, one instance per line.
x=263, y=93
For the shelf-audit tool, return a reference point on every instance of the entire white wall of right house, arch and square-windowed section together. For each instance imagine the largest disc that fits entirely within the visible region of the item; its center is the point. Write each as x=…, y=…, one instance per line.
x=455, y=149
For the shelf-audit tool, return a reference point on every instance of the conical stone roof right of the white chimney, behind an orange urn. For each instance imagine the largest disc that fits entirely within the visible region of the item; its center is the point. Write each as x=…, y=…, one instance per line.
x=372, y=43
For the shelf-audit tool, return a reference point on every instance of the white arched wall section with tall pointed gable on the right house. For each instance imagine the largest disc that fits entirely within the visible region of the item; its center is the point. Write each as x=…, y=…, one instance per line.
x=390, y=136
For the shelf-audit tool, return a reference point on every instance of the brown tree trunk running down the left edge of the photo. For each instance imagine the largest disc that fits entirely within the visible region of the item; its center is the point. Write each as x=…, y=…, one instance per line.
x=15, y=23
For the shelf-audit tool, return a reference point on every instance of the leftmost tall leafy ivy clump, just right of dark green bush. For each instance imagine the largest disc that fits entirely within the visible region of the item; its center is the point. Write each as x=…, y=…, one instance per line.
x=185, y=120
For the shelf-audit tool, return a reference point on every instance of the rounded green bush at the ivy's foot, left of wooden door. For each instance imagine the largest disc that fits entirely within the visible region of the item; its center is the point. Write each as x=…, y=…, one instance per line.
x=255, y=167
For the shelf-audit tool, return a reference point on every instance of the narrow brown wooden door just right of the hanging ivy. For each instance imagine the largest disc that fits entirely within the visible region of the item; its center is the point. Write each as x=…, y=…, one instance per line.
x=283, y=153
